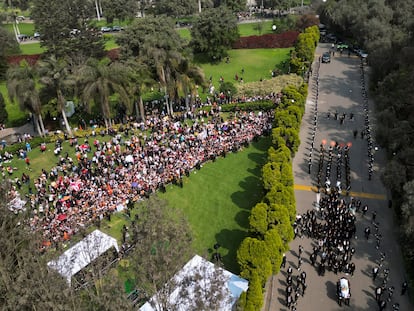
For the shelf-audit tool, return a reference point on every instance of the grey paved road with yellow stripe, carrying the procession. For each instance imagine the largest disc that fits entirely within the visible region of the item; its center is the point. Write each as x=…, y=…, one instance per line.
x=340, y=90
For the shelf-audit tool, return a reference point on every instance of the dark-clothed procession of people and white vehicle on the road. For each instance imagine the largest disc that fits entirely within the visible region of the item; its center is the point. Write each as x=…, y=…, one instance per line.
x=331, y=224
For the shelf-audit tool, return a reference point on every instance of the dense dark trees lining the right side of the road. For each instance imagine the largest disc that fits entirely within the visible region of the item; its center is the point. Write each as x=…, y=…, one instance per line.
x=386, y=29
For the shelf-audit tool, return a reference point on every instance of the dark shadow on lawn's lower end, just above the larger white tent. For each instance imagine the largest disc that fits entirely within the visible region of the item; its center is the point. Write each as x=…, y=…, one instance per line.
x=230, y=240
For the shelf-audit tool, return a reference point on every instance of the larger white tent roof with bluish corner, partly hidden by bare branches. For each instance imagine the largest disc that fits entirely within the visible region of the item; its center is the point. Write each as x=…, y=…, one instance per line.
x=231, y=291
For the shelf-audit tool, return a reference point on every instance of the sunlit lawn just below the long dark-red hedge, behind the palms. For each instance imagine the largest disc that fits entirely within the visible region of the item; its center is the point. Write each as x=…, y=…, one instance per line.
x=257, y=64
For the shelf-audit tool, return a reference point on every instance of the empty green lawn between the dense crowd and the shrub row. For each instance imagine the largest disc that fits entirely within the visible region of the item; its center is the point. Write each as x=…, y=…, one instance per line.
x=217, y=200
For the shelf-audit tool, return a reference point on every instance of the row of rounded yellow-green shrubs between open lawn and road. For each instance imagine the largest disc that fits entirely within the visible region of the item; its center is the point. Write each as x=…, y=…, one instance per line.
x=270, y=221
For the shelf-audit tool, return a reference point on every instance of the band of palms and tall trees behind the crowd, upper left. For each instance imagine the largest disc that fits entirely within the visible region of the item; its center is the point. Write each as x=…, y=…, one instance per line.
x=152, y=56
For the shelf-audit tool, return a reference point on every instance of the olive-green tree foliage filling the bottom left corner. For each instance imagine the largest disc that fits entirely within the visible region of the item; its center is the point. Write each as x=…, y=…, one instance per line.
x=25, y=281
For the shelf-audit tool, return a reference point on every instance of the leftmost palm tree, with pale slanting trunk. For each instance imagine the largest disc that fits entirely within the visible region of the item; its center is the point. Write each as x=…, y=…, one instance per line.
x=21, y=85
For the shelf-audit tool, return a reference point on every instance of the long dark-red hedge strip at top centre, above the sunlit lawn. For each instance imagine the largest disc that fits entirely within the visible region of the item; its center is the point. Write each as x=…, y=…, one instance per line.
x=283, y=40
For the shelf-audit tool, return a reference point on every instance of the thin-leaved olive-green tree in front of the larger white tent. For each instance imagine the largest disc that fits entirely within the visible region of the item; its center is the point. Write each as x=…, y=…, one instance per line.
x=162, y=244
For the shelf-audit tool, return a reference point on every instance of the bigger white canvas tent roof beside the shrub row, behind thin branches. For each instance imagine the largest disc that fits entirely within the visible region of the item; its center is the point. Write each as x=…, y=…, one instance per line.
x=233, y=289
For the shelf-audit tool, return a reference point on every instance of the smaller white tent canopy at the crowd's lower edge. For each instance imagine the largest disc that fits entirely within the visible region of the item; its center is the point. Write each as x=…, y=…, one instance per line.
x=82, y=254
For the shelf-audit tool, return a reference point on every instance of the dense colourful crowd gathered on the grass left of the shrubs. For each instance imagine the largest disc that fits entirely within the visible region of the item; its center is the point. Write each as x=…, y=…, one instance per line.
x=107, y=176
